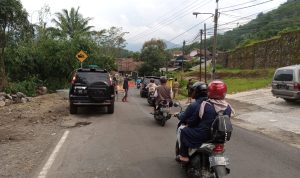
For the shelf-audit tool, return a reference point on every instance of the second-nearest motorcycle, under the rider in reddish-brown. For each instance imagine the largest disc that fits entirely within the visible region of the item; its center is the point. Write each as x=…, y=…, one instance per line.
x=162, y=112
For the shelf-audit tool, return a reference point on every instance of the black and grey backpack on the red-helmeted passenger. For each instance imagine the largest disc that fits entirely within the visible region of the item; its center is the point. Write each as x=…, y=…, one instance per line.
x=221, y=128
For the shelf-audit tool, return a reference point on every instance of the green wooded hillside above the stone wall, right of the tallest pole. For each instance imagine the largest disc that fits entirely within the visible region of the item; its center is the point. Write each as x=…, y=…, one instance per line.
x=285, y=18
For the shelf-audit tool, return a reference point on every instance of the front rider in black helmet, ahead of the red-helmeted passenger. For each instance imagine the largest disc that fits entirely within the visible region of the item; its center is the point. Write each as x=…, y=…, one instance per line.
x=190, y=116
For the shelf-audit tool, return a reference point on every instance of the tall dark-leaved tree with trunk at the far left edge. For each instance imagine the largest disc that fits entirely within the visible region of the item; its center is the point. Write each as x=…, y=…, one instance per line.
x=13, y=19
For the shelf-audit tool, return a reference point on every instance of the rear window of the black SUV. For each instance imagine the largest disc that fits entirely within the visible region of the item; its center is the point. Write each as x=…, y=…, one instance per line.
x=91, y=77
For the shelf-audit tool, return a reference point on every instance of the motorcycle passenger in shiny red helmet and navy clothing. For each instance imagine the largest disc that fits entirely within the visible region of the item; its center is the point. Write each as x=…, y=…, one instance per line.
x=193, y=136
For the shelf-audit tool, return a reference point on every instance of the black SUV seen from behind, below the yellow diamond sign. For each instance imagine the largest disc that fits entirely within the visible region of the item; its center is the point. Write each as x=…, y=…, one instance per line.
x=91, y=87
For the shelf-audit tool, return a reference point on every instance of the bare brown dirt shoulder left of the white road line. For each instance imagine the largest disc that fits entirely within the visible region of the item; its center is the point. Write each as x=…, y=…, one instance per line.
x=27, y=131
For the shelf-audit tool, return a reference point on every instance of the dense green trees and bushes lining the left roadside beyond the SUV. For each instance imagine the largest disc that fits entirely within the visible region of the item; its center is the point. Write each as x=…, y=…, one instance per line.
x=41, y=54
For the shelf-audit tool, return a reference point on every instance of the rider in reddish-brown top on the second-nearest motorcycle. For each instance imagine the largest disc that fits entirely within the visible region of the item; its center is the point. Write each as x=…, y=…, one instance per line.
x=163, y=92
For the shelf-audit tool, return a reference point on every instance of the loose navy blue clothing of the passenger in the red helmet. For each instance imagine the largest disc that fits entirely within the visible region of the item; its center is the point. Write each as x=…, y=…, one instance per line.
x=199, y=132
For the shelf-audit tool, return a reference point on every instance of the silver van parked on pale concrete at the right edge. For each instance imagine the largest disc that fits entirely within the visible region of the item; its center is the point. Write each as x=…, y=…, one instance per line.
x=286, y=83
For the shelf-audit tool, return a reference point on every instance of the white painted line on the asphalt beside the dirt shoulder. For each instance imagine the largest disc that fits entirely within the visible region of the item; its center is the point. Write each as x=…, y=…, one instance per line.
x=53, y=155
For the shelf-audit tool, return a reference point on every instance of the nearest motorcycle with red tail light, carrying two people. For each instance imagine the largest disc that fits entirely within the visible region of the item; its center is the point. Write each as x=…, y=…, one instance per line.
x=207, y=161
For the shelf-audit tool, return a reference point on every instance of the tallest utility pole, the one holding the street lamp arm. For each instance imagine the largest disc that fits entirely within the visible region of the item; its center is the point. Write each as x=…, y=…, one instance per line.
x=215, y=41
